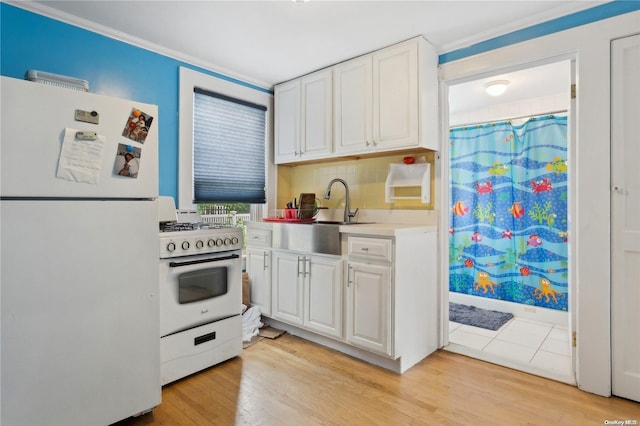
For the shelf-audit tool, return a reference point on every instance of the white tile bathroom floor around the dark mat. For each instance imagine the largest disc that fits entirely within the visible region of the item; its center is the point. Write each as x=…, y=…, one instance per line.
x=535, y=347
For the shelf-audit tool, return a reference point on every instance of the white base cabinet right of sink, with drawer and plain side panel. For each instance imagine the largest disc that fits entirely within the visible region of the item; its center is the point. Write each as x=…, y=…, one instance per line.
x=392, y=295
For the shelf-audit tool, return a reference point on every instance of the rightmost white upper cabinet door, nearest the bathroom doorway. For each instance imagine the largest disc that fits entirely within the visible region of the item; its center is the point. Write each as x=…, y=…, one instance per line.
x=395, y=96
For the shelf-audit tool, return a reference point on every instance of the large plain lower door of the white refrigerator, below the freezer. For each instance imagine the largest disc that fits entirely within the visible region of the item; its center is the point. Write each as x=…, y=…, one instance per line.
x=80, y=331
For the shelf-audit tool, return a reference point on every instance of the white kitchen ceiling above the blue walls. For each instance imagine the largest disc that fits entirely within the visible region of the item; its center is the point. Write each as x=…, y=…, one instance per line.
x=268, y=42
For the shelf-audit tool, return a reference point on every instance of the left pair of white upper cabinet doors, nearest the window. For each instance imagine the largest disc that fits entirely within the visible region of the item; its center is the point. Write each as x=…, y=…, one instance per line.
x=304, y=119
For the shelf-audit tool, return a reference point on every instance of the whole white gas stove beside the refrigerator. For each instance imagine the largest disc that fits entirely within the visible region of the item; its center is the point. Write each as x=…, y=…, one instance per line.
x=200, y=292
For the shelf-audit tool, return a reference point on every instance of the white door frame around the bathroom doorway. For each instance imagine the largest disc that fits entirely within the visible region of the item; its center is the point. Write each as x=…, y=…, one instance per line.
x=589, y=231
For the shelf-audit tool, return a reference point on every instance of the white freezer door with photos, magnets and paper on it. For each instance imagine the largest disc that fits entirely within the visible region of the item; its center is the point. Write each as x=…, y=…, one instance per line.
x=30, y=160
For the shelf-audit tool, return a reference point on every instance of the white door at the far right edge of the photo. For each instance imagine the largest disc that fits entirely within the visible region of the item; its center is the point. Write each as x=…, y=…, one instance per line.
x=625, y=217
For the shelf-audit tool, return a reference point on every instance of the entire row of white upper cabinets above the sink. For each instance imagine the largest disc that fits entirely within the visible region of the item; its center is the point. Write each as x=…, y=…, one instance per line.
x=383, y=101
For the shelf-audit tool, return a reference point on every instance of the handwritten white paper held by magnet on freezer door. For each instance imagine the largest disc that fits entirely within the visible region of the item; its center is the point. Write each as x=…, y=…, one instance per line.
x=80, y=160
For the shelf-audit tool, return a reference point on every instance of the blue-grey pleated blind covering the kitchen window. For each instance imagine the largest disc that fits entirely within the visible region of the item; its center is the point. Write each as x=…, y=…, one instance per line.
x=228, y=149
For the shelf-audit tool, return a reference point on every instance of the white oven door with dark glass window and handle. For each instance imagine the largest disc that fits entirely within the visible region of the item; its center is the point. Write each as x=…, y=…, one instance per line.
x=200, y=289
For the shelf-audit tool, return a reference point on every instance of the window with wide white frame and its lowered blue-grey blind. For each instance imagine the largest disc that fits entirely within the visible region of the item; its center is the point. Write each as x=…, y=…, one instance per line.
x=216, y=155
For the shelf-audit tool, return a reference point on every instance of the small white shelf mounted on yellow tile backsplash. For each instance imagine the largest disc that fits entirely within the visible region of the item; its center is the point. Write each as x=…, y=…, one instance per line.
x=408, y=176
